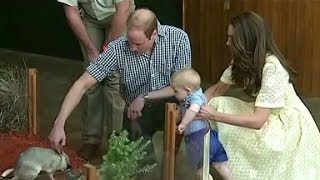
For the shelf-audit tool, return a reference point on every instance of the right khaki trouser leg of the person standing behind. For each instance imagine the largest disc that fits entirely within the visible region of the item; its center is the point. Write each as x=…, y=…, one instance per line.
x=114, y=102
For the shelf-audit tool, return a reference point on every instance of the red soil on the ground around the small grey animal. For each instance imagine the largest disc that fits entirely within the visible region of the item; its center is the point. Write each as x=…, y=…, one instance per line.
x=13, y=143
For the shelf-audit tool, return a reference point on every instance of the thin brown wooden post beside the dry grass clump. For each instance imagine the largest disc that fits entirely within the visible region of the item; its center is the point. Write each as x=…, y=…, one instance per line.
x=33, y=99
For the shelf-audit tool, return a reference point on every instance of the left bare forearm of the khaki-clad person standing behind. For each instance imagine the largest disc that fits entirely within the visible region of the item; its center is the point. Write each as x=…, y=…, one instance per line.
x=78, y=28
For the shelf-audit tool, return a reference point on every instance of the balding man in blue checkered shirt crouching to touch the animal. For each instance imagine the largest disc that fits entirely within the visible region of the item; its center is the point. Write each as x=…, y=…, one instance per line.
x=145, y=59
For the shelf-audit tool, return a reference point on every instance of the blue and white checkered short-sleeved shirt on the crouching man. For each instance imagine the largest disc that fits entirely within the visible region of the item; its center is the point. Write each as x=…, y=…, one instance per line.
x=141, y=74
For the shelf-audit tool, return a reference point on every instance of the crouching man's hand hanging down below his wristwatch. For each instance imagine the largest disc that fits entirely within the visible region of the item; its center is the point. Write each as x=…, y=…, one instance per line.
x=135, y=108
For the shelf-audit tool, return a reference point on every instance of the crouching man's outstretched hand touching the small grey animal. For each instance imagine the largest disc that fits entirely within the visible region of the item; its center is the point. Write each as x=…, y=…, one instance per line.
x=57, y=138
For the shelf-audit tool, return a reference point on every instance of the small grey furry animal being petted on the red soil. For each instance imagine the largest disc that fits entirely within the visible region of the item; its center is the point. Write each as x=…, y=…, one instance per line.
x=36, y=159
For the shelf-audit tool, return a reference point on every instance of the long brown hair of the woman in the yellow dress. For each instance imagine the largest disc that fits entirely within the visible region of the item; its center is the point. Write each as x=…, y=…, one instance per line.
x=251, y=41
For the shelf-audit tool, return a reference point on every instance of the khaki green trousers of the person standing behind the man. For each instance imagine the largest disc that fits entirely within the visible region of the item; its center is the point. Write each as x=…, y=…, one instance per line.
x=103, y=102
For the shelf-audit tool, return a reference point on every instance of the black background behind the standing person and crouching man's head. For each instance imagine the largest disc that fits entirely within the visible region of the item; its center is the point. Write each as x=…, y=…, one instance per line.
x=39, y=26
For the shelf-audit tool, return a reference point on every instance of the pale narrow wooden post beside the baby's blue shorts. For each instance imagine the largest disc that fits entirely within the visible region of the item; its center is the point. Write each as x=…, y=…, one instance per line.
x=206, y=157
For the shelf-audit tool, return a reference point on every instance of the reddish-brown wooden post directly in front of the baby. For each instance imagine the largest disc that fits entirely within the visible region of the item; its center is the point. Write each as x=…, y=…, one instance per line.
x=169, y=144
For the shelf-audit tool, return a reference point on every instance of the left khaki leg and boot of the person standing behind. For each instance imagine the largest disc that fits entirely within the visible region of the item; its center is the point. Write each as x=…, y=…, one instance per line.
x=93, y=101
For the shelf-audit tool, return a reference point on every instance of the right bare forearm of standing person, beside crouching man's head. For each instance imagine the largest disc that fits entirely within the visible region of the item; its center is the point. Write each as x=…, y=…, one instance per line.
x=118, y=21
